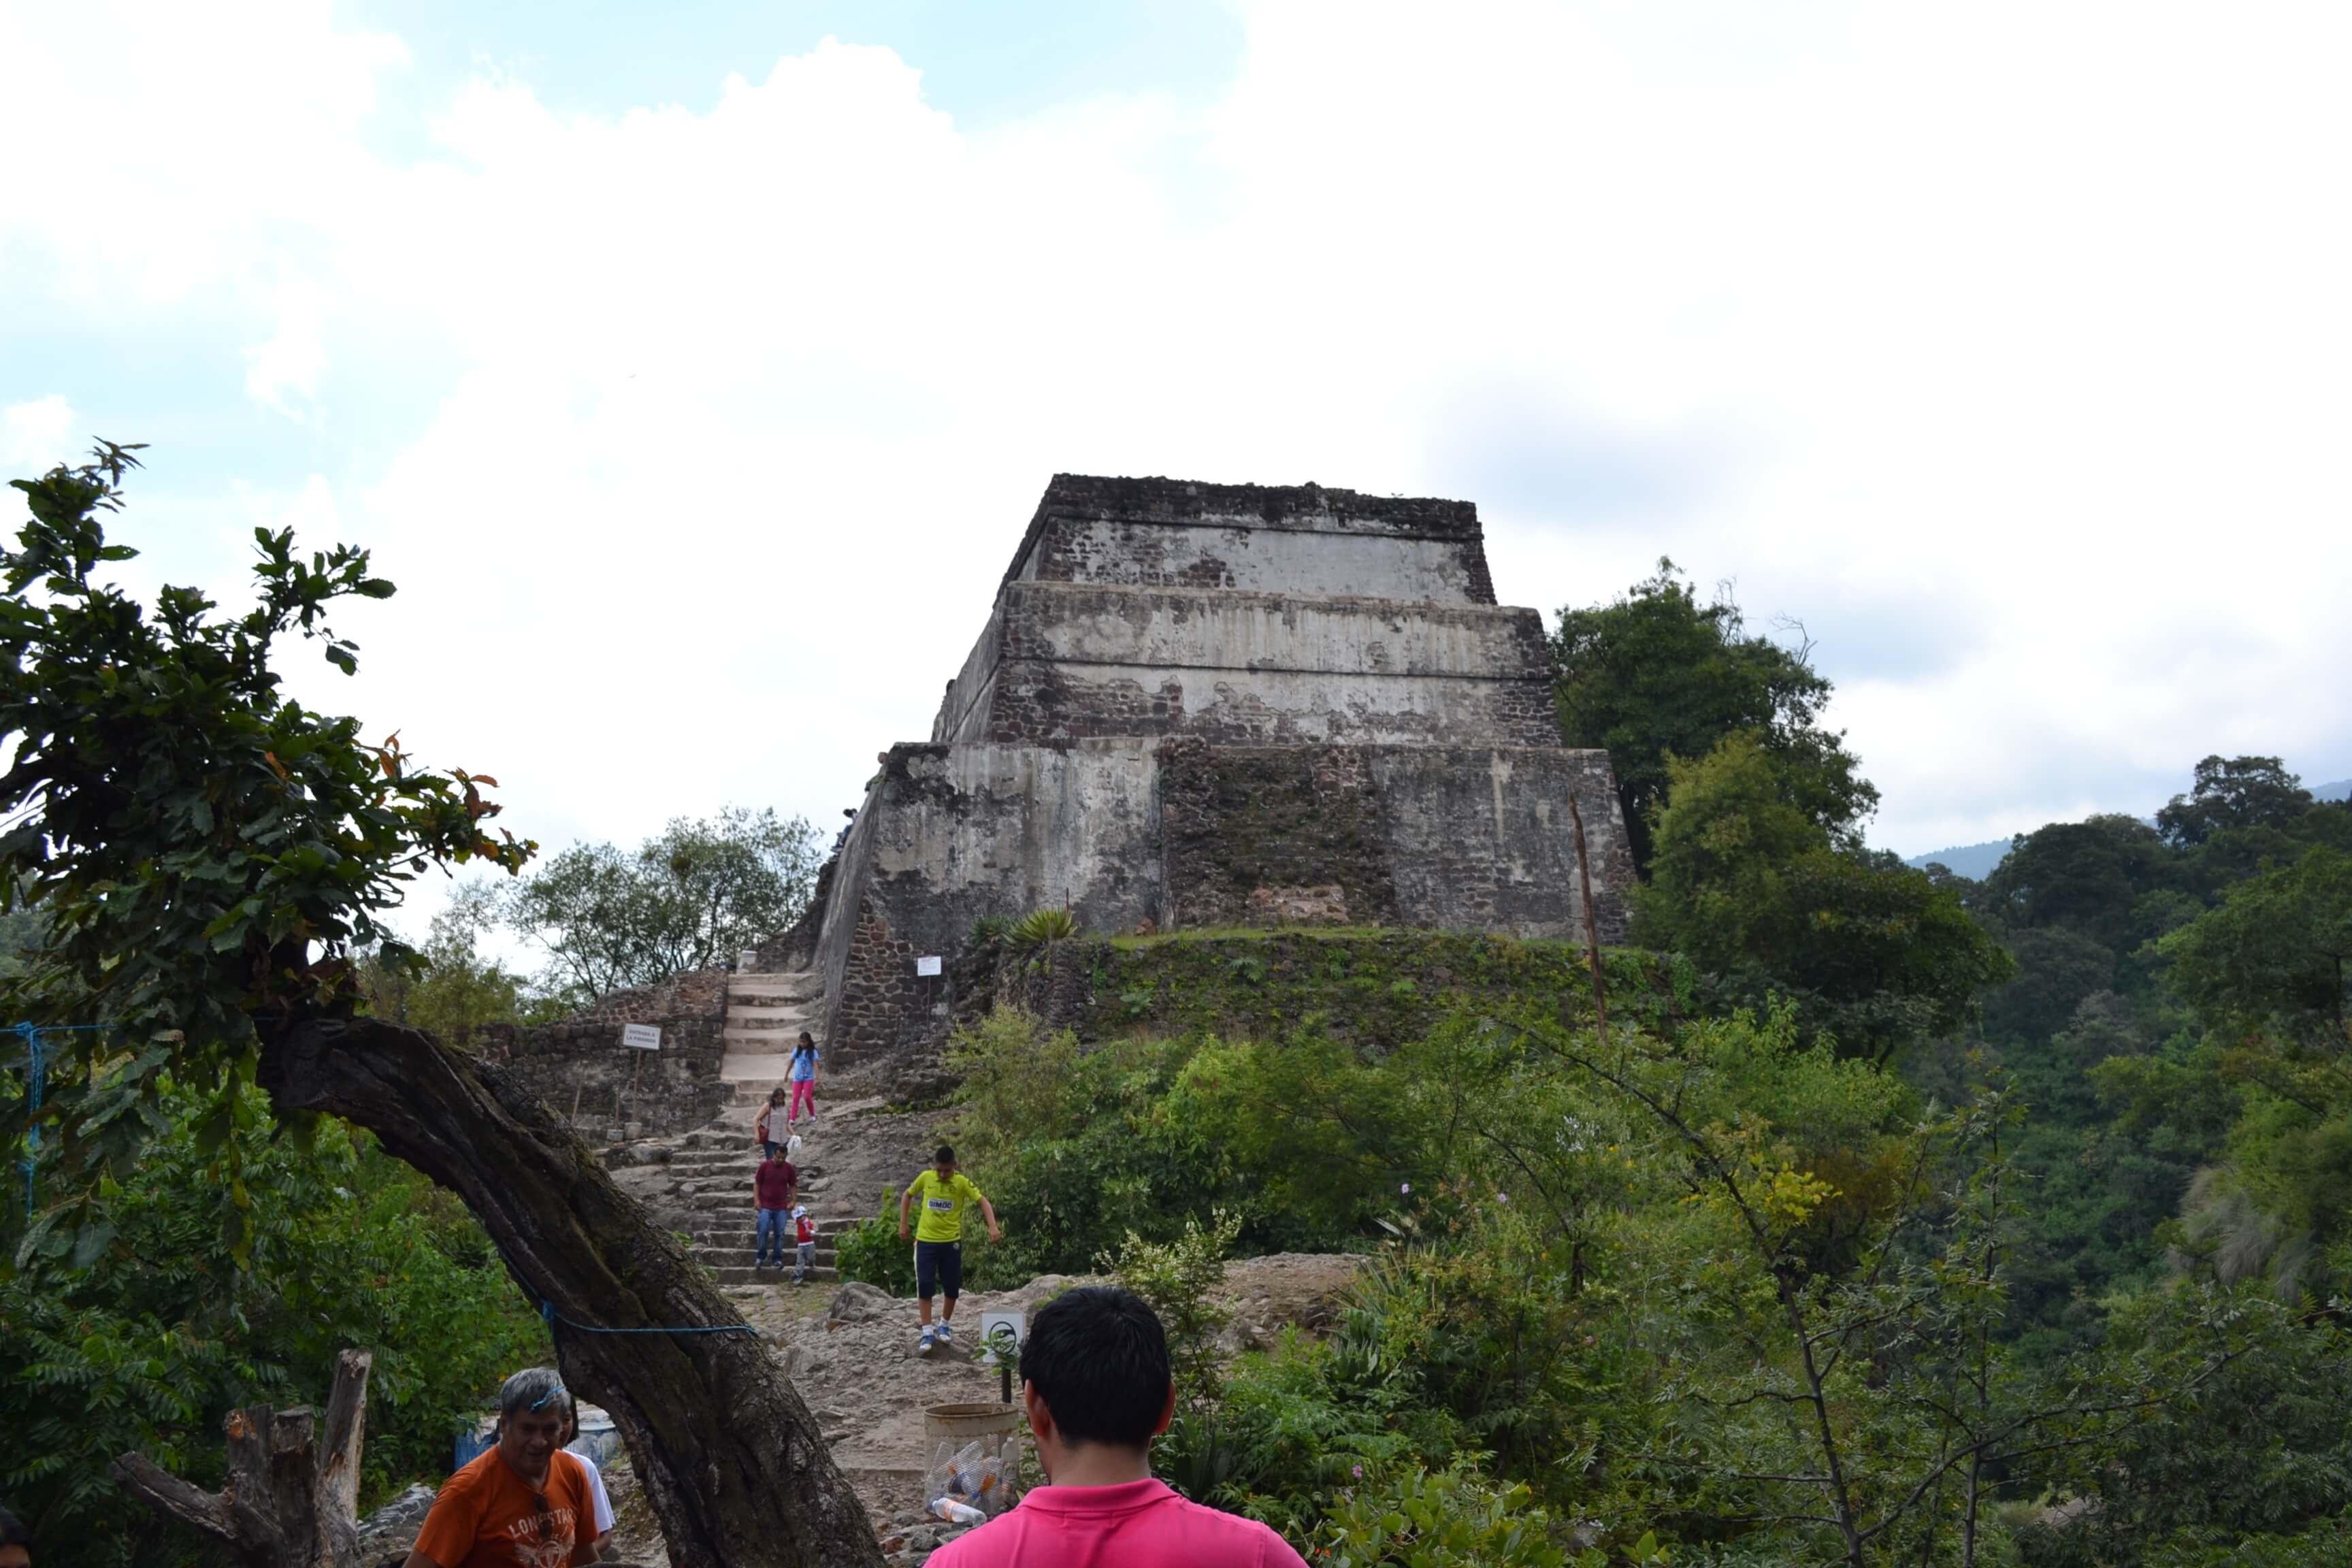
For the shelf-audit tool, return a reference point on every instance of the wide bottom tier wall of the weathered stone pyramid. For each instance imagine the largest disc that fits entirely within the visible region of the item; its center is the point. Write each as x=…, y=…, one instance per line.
x=1189, y=836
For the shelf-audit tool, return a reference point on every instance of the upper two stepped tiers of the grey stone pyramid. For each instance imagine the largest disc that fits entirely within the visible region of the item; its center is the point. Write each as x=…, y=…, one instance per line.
x=1250, y=615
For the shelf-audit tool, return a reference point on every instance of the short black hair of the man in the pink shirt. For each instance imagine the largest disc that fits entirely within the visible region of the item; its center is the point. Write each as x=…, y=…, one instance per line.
x=1102, y=1365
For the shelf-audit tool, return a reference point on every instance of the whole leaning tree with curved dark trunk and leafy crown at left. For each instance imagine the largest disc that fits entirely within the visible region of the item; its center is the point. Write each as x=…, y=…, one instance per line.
x=213, y=862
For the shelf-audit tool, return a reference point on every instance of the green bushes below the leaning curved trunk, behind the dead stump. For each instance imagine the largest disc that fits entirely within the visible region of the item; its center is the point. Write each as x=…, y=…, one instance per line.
x=149, y=1341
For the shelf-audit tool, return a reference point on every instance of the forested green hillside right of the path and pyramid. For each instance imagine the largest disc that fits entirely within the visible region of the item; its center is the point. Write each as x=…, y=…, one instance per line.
x=1892, y=1219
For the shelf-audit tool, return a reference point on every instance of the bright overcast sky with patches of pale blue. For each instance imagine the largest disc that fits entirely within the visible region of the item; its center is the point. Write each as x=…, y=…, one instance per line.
x=697, y=368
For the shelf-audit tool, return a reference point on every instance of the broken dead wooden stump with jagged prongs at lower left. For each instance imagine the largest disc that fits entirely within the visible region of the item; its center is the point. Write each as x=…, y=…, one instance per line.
x=293, y=1492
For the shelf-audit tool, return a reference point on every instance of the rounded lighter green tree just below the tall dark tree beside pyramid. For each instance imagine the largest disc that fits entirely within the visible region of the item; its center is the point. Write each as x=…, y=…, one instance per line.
x=1760, y=894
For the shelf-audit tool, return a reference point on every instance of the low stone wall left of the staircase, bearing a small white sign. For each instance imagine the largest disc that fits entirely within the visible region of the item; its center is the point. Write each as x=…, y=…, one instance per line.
x=615, y=1092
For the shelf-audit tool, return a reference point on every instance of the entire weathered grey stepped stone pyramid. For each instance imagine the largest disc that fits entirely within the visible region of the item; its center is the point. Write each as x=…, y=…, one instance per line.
x=1217, y=706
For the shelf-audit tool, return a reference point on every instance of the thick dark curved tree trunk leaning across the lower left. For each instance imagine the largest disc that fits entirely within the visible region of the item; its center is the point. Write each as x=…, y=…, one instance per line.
x=733, y=1461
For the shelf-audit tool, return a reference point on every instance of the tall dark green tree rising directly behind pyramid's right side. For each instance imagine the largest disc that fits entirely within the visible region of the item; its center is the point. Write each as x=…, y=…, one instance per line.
x=1659, y=676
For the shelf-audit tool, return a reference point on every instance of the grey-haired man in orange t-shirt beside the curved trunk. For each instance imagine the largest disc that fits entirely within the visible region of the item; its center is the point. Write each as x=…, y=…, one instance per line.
x=523, y=1503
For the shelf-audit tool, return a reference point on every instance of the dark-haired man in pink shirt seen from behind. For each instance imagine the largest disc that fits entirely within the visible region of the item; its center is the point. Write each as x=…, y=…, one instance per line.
x=1095, y=1379
